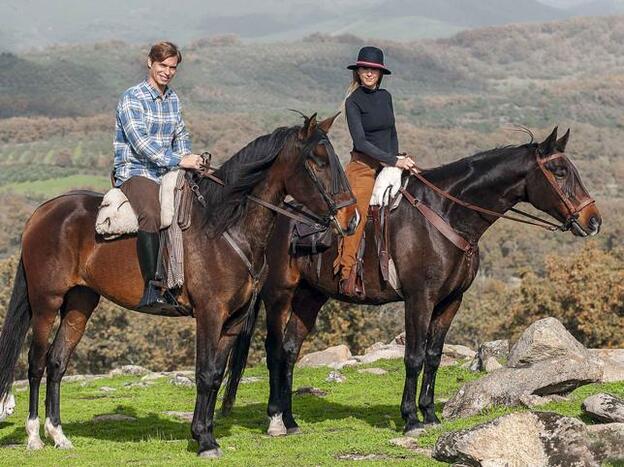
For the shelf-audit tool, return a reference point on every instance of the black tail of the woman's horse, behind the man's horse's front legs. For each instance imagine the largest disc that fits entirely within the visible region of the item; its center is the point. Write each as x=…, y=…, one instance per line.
x=238, y=359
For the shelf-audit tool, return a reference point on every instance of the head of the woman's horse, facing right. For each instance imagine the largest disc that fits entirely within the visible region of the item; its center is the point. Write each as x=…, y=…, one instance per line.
x=554, y=186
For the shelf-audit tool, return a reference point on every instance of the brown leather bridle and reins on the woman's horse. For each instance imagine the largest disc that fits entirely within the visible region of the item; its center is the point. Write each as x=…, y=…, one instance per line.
x=573, y=211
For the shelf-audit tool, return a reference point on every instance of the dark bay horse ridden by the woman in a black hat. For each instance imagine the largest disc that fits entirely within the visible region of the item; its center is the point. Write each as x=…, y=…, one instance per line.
x=433, y=272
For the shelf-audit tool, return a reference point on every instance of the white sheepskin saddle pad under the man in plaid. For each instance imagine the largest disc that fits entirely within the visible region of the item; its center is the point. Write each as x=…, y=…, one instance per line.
x=116, y=217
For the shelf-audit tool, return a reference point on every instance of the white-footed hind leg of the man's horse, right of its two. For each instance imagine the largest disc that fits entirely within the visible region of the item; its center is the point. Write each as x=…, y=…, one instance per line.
x=79, y=304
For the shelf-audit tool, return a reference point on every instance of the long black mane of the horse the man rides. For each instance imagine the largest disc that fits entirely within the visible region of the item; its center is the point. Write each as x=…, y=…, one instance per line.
x=241, y=173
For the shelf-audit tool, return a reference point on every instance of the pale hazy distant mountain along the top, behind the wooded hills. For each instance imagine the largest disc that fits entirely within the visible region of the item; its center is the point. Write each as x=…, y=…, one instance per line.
x=40, y=23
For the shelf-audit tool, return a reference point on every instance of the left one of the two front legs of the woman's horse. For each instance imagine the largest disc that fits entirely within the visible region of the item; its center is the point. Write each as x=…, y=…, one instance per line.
x=417, y=317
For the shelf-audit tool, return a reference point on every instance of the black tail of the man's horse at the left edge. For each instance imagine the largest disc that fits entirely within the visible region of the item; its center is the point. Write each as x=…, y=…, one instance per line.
x=16, y=324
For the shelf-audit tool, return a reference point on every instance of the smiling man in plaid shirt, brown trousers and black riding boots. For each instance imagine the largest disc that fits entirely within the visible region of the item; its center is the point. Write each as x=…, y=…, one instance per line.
x=150, y=140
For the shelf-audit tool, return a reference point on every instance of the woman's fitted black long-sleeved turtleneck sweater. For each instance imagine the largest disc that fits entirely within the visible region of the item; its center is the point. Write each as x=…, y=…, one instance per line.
x=370, y=117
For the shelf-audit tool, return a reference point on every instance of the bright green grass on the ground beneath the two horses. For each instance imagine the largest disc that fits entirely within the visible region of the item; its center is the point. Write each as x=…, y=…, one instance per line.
x=359, y=417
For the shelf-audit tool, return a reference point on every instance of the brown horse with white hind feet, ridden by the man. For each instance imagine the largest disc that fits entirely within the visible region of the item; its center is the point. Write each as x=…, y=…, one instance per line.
x=65, y=267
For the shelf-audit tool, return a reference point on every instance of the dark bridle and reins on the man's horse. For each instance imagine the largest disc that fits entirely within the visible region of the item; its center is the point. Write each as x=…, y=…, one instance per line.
x=306, y=216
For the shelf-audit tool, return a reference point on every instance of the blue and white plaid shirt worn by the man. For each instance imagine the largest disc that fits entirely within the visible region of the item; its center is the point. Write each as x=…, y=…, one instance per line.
x=150, y=135
